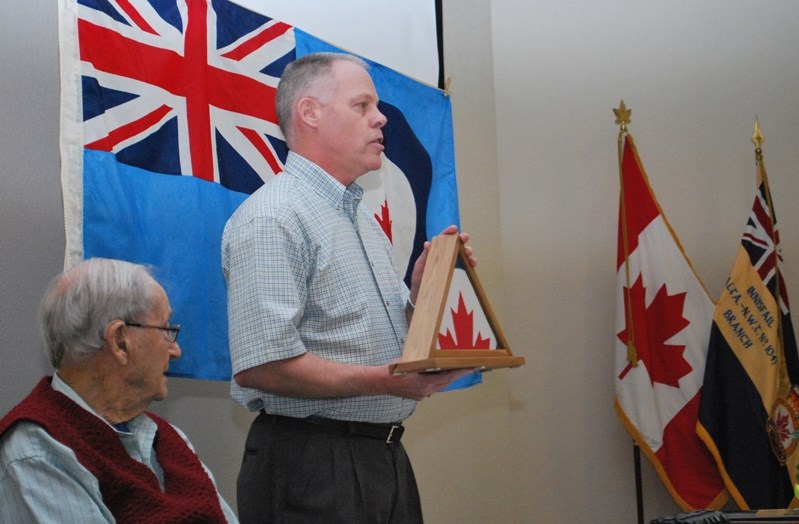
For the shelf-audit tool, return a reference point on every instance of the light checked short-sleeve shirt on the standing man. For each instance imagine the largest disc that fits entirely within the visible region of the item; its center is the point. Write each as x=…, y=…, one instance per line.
x=309, y=269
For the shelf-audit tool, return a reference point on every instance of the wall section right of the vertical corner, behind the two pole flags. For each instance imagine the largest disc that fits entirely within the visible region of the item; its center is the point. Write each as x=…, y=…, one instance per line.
x=695, y=75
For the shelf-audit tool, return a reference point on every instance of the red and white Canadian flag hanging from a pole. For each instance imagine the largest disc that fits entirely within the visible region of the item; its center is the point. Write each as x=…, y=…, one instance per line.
x=663, y=317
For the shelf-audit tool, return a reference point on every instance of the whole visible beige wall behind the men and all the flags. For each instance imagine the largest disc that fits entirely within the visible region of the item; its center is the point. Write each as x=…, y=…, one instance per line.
x=533, y=87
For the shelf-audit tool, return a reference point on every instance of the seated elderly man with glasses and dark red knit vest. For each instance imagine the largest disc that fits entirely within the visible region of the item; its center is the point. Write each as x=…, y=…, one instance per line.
x=80, y=447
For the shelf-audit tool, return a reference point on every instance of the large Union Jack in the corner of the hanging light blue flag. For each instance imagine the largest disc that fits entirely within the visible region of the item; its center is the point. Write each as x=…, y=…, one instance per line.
x=181, y=98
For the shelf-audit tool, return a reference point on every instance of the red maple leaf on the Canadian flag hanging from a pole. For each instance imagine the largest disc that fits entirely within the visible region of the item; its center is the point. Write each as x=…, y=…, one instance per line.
x=652, y=326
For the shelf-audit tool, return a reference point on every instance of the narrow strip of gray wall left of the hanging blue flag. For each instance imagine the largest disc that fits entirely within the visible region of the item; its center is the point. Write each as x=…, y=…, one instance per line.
x=31, y=214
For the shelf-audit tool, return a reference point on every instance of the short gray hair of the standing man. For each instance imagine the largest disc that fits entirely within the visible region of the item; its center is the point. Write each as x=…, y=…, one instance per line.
x=304, y=77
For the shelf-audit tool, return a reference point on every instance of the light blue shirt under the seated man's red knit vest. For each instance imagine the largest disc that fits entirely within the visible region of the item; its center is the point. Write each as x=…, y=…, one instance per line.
x=41, y=480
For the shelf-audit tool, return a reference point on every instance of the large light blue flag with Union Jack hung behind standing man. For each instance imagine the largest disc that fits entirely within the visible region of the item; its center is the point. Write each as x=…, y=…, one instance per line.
x=168, y=124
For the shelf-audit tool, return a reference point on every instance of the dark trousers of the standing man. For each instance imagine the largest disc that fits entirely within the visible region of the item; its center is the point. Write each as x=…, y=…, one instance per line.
x=296, y=472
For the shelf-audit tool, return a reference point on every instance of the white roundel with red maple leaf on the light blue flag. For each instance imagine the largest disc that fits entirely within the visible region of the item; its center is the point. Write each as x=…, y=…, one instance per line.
x=387, y=193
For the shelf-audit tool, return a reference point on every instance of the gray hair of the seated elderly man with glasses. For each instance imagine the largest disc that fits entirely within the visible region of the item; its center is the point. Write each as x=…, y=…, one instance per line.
x=80, y=302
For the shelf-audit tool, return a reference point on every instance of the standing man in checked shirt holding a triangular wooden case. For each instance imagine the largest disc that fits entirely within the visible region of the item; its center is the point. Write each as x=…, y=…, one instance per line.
x=317, y=311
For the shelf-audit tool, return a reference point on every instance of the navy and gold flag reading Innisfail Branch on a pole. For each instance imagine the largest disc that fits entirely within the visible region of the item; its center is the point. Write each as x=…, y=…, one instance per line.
x=749, y=413
